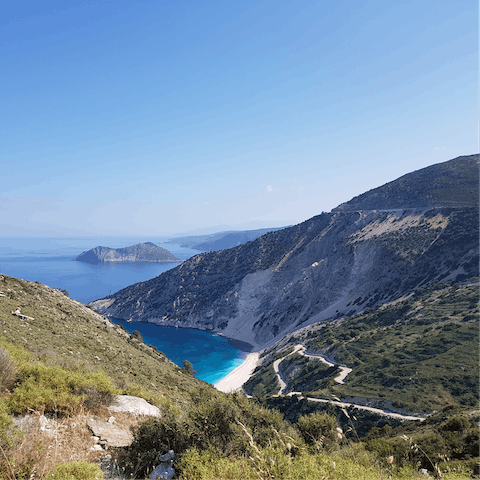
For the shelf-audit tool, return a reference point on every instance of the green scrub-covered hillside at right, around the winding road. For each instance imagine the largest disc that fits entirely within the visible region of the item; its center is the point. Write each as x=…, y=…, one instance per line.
x=418, y=354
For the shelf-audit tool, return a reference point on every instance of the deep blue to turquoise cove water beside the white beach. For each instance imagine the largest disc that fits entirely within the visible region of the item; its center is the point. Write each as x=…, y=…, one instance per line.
x=213, y=357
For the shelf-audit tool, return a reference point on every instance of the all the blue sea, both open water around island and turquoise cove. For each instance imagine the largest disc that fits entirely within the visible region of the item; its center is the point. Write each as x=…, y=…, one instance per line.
x=50, y=261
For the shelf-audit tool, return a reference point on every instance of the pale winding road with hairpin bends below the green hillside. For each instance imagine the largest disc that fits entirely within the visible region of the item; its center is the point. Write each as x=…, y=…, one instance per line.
x=340, y=379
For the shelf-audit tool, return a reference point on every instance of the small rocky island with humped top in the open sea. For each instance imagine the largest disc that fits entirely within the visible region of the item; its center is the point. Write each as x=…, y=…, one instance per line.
x=140, y=252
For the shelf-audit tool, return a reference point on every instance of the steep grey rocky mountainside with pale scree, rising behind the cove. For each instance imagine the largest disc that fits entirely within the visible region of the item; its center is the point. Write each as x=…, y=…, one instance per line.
x=378, y=247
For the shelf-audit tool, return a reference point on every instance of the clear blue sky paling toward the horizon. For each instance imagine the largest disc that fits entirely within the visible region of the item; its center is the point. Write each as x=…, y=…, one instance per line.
x=161, y=118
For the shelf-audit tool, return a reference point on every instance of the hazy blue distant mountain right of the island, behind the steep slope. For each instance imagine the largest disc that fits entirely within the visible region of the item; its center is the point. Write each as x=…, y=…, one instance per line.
x=221, y=240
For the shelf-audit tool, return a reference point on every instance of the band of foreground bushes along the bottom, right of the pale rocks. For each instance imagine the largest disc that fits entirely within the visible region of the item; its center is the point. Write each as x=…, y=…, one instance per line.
x=231, y=437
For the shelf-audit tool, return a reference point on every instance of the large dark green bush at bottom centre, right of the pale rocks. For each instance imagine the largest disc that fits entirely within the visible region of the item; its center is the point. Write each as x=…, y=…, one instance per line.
x=216, y=422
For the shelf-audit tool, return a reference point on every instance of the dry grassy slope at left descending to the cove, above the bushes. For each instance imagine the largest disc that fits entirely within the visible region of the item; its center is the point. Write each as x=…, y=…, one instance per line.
x=66, y=332
